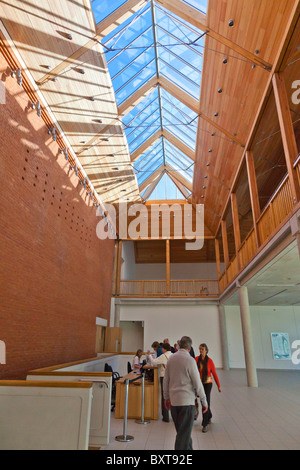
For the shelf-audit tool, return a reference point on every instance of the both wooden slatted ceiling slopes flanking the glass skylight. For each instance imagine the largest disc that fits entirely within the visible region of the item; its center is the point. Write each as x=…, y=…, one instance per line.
x=40, y=35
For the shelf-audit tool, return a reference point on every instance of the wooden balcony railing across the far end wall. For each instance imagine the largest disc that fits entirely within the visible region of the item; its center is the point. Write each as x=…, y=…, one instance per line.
x=205, y=288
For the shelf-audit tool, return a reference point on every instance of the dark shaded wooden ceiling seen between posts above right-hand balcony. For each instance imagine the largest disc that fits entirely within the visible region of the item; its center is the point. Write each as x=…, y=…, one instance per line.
x=267, y=149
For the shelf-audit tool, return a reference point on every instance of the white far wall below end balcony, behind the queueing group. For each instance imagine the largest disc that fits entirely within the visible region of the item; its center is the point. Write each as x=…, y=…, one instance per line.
x=174, y=319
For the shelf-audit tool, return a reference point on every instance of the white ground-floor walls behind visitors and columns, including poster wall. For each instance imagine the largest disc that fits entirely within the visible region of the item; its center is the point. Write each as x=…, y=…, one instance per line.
x=174, y=319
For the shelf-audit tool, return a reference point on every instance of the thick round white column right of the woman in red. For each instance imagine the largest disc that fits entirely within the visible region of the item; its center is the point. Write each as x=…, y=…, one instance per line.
x=247, y=337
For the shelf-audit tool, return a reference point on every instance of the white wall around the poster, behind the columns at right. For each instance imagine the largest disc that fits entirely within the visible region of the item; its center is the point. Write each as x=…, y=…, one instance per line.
x=264, y=321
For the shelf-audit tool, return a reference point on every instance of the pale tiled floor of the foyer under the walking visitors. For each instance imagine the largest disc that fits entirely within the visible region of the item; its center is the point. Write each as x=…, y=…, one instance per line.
x=263, y=418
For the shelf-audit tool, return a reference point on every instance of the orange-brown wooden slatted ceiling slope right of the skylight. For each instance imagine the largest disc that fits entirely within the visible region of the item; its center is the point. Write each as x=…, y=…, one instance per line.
x=242, y=87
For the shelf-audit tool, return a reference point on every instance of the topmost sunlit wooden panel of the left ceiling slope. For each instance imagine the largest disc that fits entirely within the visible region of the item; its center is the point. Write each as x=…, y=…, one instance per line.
x=39, y=31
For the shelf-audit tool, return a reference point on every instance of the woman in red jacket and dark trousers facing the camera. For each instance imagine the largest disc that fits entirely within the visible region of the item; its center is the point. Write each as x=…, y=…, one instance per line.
x=207, y=370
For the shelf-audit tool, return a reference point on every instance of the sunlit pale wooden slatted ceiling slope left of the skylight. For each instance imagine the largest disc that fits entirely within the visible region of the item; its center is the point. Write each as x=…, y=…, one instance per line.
x=39, y=32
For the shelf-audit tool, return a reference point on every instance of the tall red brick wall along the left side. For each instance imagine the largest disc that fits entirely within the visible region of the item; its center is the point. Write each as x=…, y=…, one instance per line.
x=55, y=274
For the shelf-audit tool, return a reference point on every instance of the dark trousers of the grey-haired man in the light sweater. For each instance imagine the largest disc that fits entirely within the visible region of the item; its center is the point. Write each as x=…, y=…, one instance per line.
x=183, y=417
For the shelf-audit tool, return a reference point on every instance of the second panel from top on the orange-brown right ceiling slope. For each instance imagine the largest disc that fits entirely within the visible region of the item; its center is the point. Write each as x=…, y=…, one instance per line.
x=242, y=86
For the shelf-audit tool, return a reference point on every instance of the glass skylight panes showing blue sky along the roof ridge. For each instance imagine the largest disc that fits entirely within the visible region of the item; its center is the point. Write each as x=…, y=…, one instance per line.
x=141, y=126
